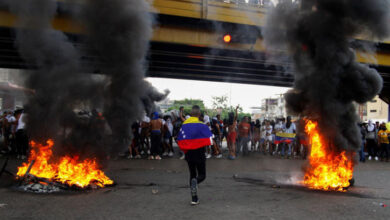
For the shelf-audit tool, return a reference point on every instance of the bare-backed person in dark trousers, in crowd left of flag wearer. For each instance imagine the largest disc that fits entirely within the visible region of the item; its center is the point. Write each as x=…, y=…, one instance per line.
x=156, y=126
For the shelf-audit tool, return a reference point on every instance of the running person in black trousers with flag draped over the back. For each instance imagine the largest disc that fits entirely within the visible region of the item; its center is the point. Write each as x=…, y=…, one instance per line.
x=192, y=139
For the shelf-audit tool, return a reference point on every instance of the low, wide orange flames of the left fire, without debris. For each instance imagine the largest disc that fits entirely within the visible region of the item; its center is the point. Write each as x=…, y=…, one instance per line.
x=67, y=170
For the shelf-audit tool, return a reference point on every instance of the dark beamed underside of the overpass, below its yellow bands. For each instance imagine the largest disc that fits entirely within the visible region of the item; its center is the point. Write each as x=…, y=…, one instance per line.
x=183, y=61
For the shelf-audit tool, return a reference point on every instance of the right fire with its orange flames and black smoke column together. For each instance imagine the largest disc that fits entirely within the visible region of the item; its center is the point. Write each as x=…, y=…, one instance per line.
x=329, y=80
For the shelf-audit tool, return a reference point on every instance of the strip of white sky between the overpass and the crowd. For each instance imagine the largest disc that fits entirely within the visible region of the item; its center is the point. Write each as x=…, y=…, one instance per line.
x=245, y=95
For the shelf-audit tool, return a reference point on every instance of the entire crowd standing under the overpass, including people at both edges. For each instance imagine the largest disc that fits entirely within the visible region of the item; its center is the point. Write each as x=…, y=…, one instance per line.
x=154, y=137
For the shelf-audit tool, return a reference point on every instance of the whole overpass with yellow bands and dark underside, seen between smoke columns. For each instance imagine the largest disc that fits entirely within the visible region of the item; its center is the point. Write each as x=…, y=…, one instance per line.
x=187, y=43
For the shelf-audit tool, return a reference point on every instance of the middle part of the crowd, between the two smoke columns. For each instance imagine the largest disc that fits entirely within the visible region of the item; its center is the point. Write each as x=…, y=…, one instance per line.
x=154, y=136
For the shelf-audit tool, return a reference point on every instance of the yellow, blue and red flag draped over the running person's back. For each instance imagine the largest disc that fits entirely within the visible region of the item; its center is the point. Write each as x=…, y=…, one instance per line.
x=193, y=135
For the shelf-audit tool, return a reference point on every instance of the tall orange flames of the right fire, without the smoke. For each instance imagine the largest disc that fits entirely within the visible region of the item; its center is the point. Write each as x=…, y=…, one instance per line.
x=327, y=170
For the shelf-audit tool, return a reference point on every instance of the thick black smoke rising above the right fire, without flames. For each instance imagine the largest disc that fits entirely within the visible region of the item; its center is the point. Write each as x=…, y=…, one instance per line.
x=328, y=78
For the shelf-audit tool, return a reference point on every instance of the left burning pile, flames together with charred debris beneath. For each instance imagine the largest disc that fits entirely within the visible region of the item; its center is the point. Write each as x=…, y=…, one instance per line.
x=43, y=170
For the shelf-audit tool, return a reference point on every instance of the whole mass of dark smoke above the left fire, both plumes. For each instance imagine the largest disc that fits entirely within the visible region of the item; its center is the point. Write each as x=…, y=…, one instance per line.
x=118, y=34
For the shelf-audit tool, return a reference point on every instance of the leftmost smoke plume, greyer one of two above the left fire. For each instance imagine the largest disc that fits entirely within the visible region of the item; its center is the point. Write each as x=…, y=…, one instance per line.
x=58, y=84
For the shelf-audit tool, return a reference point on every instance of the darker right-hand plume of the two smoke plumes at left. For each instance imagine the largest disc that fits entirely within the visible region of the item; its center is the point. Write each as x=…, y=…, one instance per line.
x=119, y=32
